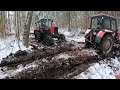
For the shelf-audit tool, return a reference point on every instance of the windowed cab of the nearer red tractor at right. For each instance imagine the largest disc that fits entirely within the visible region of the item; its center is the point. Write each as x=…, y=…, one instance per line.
x=103, y=22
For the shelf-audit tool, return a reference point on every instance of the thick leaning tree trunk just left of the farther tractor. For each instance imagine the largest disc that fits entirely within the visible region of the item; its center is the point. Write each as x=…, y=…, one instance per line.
x=27, y=28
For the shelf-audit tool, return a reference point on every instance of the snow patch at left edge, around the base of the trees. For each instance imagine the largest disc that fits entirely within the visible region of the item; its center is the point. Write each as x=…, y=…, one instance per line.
x=10, y=45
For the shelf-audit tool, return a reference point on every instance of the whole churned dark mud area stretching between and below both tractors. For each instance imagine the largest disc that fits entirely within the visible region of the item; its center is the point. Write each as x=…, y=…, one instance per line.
x=62, y=61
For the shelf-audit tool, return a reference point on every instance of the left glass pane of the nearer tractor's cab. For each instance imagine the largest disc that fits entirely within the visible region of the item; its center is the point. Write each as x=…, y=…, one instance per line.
x=96, y=23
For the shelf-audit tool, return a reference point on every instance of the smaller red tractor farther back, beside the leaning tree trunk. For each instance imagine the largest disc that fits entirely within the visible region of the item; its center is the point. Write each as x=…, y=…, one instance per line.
x=45, y=32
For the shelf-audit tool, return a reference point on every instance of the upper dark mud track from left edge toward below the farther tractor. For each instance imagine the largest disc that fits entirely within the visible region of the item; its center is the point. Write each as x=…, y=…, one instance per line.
x=22, y=56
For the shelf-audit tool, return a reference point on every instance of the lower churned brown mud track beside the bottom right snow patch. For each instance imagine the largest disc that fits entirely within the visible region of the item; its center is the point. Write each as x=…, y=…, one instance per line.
x=58, y=66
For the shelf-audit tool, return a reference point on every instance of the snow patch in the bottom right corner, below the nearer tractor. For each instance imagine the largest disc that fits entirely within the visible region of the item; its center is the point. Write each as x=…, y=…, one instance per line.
x=102, y=70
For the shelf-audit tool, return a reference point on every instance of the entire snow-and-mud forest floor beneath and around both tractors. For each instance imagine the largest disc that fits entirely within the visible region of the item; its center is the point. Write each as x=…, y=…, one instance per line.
x=66, y=60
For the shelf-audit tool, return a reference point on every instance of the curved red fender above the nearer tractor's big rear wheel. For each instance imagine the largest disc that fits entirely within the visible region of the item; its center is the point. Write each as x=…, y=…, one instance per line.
x=101, y=34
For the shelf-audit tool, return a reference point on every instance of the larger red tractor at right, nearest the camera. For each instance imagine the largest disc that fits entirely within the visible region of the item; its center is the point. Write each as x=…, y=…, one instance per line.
x=103, y=33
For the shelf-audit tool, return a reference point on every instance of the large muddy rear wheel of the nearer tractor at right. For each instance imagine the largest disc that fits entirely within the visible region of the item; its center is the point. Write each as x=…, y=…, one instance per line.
x=106, y=44
